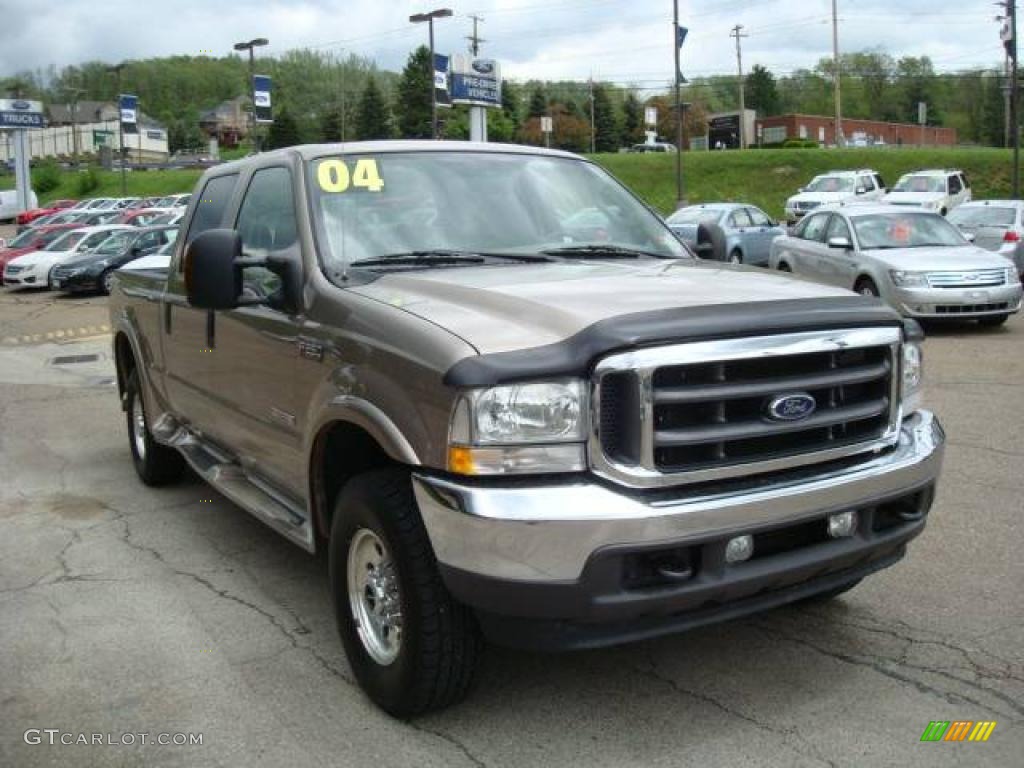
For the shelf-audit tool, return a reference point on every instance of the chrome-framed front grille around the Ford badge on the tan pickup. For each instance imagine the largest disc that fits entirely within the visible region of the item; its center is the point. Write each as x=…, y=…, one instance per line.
x=698, y=412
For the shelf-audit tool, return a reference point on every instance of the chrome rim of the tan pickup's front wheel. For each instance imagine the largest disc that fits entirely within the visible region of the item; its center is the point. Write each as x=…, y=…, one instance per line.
x=374, y=598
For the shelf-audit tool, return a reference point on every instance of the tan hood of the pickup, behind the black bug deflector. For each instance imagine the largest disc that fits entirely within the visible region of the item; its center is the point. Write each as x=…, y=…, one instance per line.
x=503, y=309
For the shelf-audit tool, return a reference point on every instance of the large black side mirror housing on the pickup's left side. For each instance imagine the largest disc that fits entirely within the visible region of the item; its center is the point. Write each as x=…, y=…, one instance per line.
x=214, y=279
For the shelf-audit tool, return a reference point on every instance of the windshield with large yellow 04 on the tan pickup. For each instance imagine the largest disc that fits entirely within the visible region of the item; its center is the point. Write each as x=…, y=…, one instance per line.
x=375, y=206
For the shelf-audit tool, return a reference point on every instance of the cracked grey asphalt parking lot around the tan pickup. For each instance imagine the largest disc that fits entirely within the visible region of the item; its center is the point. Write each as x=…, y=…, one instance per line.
x=131, y=611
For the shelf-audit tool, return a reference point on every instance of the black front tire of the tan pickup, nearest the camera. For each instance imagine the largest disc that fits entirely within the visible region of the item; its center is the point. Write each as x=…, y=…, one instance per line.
x=440, y=644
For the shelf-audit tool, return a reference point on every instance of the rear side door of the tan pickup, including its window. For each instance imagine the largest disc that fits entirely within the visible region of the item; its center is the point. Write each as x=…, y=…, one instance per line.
x=189, y=334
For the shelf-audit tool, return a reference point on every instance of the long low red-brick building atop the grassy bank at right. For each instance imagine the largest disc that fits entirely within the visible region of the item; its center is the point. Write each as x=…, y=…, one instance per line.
x=777, y=130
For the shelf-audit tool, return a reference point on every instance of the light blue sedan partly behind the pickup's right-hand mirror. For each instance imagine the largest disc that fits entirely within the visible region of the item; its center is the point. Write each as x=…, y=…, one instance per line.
x=746, y=233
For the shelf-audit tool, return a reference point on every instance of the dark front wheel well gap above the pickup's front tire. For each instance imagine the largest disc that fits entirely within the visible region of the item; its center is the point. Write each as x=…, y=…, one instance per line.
x=342, y=452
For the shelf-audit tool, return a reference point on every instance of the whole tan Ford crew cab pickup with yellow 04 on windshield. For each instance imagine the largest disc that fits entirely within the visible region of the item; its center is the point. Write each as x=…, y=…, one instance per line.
x=513, y=406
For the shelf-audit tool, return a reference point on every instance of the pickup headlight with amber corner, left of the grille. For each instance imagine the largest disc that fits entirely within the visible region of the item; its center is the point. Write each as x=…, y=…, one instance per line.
x=537, y=428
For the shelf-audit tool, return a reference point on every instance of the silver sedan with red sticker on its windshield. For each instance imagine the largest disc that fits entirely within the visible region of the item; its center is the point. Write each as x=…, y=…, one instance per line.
x=916, y=261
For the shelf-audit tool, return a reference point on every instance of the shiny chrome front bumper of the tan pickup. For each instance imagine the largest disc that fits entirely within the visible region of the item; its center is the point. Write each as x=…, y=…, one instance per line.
x=546, y=533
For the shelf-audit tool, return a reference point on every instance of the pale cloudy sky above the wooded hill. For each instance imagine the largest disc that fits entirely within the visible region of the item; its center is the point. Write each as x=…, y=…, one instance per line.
x=624, y=41
